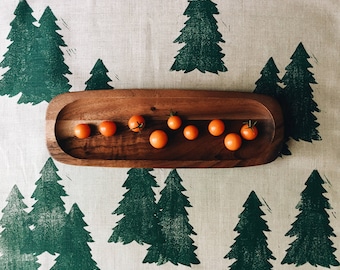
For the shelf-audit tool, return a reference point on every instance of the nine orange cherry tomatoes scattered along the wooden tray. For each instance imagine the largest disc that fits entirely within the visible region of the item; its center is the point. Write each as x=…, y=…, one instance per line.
x=159, y=138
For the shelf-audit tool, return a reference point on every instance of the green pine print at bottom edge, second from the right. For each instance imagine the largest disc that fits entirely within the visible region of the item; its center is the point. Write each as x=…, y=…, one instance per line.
x=250, y=248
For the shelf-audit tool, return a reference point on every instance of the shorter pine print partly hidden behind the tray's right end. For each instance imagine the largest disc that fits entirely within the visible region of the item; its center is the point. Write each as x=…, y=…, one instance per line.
x=267, y=84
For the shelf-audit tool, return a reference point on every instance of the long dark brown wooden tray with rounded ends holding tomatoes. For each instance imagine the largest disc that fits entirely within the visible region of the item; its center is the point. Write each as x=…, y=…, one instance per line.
x=130, y=149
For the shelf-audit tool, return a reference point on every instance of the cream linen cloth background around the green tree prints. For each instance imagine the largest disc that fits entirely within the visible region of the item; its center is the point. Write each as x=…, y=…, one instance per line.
x=135, y=41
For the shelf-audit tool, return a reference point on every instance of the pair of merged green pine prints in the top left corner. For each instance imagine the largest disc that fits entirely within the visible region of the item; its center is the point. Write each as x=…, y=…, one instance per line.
x=34, y=58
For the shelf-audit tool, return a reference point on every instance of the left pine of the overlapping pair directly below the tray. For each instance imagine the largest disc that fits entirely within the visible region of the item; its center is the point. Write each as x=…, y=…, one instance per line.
x=139, y=209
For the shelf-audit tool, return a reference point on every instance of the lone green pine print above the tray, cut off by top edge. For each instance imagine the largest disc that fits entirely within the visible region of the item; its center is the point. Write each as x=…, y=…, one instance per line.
x=201, y=37
